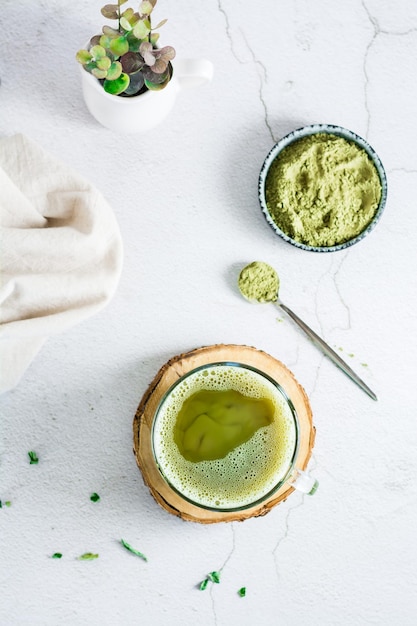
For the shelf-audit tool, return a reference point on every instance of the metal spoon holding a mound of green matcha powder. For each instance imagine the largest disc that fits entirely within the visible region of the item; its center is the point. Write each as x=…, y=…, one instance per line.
x=259, y=282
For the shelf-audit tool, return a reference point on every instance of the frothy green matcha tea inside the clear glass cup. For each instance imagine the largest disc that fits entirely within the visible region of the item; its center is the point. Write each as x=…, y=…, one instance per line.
x=224, y=437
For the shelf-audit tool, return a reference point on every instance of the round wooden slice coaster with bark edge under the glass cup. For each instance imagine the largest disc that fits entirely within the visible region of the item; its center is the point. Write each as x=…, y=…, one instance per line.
x=166, y=377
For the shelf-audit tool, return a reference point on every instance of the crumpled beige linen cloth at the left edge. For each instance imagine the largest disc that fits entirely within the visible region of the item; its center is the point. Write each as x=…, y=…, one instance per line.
x=60, y=252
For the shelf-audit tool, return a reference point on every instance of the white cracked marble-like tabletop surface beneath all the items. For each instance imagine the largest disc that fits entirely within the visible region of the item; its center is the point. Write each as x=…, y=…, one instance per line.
x=185, y=197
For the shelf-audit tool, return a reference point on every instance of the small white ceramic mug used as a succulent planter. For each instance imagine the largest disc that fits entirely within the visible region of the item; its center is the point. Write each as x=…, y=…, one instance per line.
x=142, y=113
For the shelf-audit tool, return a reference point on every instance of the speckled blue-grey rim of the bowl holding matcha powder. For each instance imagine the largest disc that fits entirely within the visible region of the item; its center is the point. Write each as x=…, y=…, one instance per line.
x=305, y=131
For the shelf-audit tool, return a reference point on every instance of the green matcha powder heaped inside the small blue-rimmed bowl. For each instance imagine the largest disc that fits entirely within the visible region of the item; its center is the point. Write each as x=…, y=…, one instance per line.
x=322, y=190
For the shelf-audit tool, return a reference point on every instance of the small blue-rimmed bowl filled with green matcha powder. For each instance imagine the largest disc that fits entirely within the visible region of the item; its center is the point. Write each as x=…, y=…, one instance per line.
x=322, y=188
